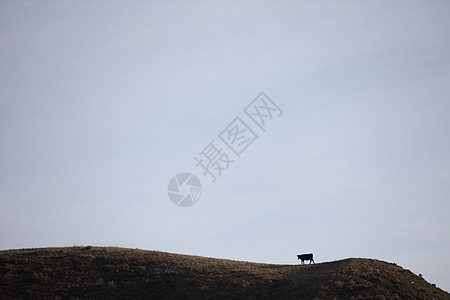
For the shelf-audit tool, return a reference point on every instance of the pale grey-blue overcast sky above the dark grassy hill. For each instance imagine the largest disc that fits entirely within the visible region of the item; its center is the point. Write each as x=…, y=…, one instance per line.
x=102, y=103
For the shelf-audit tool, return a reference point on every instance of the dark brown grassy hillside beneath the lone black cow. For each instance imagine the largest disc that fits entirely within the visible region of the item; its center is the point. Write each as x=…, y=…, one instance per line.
x=107, y=272
